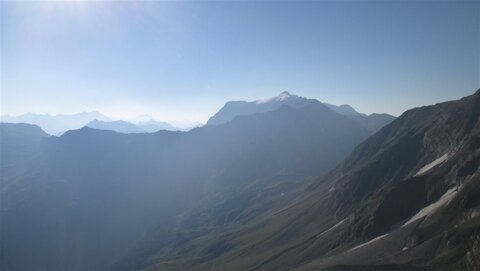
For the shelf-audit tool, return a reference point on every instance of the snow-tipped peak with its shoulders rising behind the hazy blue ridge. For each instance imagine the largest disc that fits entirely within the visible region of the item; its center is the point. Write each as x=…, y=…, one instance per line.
x=238, y=108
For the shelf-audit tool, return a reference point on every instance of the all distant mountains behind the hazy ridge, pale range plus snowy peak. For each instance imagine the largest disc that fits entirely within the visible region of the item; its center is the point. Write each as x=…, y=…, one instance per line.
x=58, y=124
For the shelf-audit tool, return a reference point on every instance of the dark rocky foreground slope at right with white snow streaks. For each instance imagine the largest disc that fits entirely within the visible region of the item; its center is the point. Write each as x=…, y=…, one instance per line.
x=405, y=199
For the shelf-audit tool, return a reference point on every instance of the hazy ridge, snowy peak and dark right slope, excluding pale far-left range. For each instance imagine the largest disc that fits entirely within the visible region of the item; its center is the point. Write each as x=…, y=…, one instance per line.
x=287, y=183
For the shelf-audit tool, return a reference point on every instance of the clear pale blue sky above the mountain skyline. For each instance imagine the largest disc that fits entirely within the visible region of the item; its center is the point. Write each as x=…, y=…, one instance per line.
x=182, y=60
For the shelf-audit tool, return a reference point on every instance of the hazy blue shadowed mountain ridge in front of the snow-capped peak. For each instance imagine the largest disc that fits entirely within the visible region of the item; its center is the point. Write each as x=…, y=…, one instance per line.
x=82, y=201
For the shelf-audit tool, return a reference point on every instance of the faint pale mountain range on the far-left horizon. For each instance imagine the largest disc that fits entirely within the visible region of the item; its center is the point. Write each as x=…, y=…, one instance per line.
x=58, y=124
